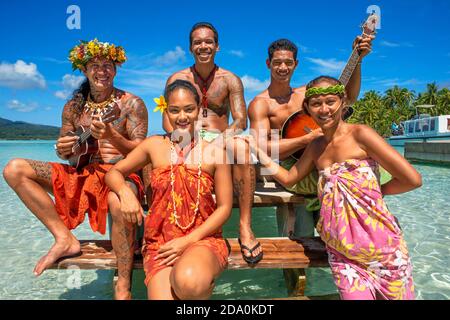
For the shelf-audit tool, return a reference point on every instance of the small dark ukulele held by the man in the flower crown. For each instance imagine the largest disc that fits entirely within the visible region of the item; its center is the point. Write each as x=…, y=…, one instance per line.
x=87, y=145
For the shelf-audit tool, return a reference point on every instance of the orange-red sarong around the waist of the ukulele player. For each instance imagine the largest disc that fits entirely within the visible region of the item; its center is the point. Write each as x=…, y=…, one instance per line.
x=84, y=191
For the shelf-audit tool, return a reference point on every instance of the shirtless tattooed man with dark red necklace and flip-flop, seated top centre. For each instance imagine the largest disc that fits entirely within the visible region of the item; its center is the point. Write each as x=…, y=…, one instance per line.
x=222, y=92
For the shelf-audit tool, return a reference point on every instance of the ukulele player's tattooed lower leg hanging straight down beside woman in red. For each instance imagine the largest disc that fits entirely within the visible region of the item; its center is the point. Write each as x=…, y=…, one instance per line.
x=122, y=238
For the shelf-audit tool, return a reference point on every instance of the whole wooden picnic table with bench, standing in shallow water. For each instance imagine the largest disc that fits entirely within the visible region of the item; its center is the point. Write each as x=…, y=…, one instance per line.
x=291, y=254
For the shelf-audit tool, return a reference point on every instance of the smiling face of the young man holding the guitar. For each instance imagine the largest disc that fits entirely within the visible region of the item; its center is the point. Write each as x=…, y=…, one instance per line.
x=282, y=65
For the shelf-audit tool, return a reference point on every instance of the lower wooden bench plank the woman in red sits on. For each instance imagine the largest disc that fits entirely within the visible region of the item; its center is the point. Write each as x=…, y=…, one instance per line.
x=278, y=253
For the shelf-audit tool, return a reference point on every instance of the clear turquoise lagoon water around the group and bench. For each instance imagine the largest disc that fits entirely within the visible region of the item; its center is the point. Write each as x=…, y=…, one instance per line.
x=424, y=215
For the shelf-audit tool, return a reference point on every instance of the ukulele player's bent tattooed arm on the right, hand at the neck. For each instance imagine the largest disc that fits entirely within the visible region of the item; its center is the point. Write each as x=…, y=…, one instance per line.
x=137, y=123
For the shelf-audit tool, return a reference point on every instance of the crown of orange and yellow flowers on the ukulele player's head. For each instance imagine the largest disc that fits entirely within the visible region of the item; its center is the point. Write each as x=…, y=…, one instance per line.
x=85, y=51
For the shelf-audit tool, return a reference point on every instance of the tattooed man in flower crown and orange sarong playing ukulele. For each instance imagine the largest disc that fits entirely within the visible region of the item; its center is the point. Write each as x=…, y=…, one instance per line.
x=81, y=191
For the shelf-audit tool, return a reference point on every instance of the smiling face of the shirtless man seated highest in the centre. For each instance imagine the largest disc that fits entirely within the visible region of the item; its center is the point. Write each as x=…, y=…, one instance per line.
x=204, y=46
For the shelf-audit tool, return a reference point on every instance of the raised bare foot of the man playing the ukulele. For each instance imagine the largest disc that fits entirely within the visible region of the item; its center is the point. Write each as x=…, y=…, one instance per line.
x=58, y=250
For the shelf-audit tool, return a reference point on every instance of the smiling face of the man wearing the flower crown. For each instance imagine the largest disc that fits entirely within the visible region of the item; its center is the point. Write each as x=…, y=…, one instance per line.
x=100, y=72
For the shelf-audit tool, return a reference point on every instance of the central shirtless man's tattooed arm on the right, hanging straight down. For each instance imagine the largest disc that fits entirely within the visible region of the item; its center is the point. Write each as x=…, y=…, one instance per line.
x=237, y=103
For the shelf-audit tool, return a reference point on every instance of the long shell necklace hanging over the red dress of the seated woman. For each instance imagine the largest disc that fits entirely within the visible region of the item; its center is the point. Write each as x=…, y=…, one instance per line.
x=172, y=183
